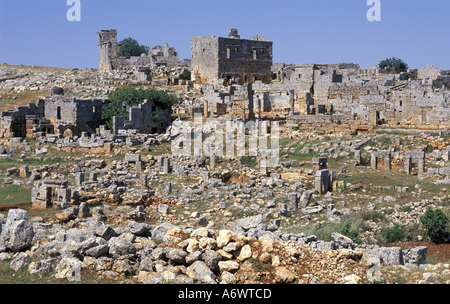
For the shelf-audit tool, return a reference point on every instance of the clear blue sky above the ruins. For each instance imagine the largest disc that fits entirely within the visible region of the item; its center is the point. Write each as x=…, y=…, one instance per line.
x=37, y=32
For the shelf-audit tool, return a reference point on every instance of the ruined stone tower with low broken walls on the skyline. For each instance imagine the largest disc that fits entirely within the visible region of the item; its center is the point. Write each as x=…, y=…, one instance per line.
x=109, y=59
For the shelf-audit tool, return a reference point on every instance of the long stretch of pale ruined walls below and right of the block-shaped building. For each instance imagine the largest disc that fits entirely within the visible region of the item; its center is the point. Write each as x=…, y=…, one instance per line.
x=336, y=97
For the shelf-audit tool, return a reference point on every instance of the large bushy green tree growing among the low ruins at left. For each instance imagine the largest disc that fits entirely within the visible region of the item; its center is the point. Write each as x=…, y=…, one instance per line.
x=125, y=97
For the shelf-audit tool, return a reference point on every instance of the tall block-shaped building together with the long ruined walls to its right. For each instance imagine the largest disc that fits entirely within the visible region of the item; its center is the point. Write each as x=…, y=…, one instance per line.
x=328, y=98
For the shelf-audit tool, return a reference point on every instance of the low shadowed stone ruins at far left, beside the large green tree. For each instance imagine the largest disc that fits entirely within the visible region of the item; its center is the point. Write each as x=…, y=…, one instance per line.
x=71, y=117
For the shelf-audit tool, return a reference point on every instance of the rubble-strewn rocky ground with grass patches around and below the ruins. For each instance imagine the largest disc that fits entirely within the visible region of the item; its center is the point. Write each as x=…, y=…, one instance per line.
x=227, y=223
